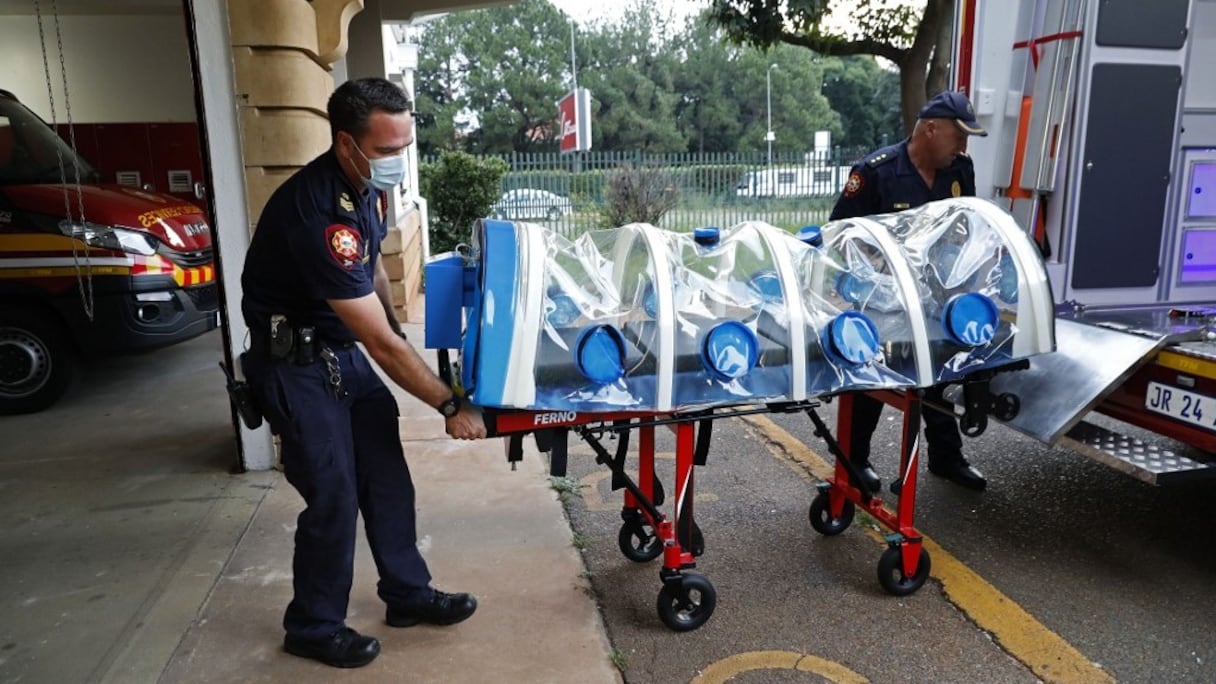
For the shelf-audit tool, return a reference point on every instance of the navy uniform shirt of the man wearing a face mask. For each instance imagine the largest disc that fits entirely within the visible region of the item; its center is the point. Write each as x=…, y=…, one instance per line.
x=318, y=239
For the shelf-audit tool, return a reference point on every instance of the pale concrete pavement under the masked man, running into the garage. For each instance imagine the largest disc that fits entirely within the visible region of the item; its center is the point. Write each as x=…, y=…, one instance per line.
x=134, y=557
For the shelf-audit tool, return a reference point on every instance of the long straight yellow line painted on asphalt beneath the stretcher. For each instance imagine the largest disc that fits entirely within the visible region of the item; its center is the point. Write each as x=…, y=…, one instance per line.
x=1045, y=653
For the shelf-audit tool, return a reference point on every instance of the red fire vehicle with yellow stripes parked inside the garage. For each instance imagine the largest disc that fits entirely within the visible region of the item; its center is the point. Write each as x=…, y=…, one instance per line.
x=87, y=268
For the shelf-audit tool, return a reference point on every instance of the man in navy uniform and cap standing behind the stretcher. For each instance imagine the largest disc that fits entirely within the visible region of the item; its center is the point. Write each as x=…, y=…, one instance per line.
x=931, y=165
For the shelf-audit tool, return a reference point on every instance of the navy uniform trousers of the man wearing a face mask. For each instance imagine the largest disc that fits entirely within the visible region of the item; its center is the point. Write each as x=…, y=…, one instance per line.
x=345, y=458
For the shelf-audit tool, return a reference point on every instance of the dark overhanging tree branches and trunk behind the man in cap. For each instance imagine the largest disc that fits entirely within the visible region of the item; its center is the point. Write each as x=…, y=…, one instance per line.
x=907, y=36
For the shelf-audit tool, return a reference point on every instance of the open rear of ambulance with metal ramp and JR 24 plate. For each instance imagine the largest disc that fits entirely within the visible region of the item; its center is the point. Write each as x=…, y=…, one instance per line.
x=1104, y=147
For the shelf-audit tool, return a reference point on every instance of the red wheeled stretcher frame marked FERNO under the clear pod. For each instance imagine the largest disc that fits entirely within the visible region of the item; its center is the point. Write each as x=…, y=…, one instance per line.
x=688, y=599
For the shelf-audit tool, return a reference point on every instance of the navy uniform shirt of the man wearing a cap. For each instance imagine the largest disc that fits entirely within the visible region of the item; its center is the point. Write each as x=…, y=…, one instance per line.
x=886, y=182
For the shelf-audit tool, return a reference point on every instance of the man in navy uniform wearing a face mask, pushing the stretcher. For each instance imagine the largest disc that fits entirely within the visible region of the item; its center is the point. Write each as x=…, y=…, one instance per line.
x=314, y=285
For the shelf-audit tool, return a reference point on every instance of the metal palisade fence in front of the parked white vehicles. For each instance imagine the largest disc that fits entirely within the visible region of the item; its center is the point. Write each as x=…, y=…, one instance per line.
x=567, y=192
